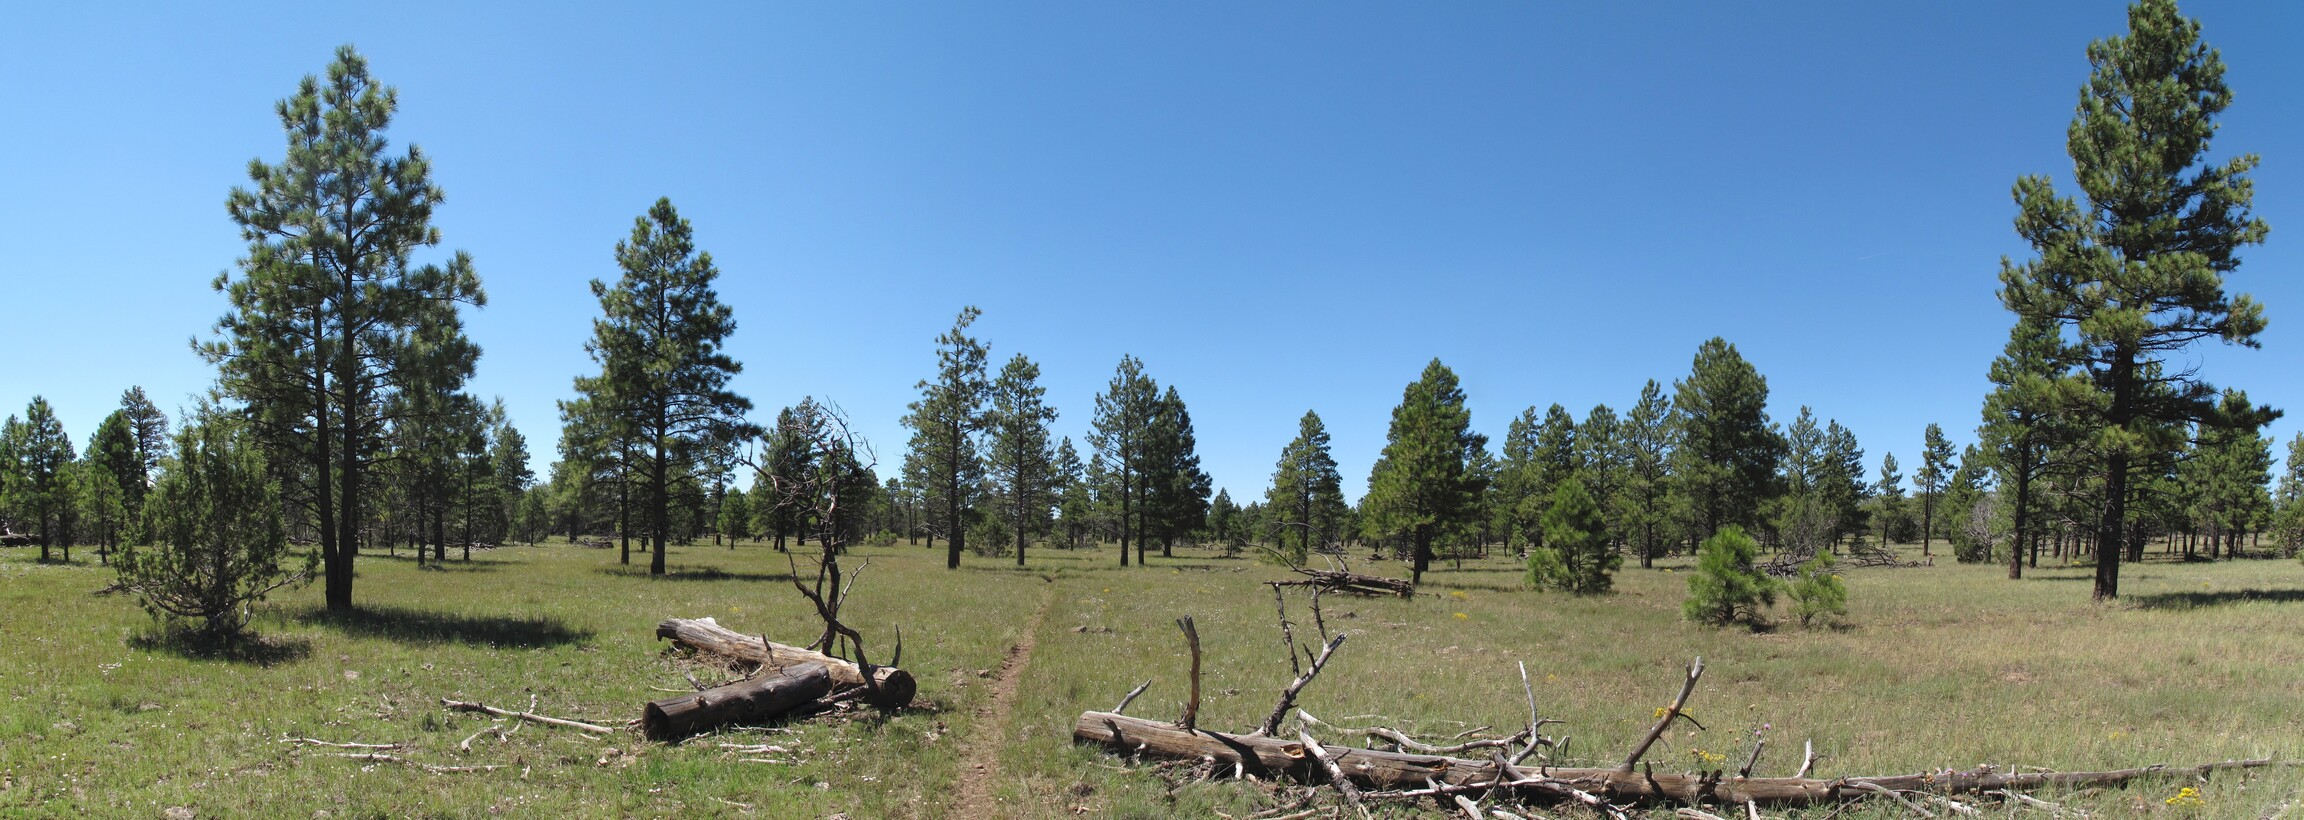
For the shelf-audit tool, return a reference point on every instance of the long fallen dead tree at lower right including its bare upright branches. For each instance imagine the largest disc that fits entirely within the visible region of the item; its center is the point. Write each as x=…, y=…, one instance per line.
x=1506, y=782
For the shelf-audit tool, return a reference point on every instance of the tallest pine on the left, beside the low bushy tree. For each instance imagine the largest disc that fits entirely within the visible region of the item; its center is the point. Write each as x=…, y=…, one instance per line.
x=328, y=301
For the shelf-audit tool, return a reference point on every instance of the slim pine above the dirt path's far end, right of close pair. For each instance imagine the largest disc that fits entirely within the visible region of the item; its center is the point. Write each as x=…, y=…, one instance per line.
x=1022, y=455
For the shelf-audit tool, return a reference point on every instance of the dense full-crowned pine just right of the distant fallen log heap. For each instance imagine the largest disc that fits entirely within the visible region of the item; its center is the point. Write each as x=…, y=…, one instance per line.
x=1423, y=487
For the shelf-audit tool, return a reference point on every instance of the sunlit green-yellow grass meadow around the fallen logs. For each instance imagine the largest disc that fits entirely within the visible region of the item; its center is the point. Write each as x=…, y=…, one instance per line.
x=1941, y=667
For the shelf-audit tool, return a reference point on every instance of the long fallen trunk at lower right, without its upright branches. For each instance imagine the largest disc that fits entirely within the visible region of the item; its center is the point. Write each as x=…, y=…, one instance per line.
x=1393, y=770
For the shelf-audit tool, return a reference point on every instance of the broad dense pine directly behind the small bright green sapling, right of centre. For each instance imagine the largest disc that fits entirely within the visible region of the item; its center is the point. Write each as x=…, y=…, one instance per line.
x=1727, y=453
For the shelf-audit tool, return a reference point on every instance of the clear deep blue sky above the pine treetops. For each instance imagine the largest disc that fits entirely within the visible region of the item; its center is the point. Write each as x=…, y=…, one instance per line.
x=1278, y=206
